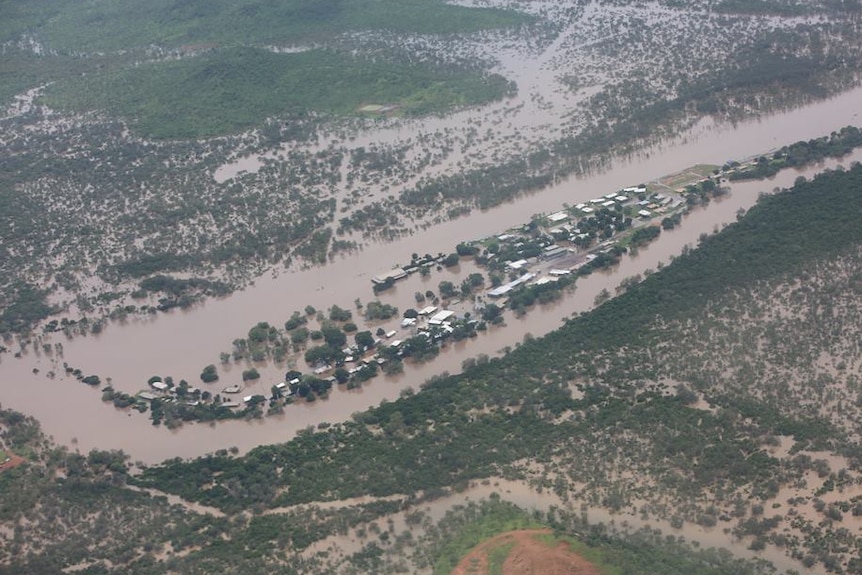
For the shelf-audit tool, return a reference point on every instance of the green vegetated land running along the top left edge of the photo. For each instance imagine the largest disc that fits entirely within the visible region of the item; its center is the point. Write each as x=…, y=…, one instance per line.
x=101, y=25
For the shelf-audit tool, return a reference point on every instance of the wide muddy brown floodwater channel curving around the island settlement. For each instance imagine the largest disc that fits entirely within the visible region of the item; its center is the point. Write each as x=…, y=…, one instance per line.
x=180, y=344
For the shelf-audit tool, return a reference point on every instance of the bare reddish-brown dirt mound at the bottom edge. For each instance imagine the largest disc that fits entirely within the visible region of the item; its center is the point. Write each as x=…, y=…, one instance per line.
x=526, y=557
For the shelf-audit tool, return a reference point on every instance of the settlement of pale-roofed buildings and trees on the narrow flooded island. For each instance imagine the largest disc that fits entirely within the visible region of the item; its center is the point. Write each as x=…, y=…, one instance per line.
x=531, y=263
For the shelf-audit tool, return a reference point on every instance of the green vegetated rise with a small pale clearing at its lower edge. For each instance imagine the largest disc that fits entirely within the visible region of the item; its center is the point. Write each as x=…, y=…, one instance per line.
x=234, y=89
